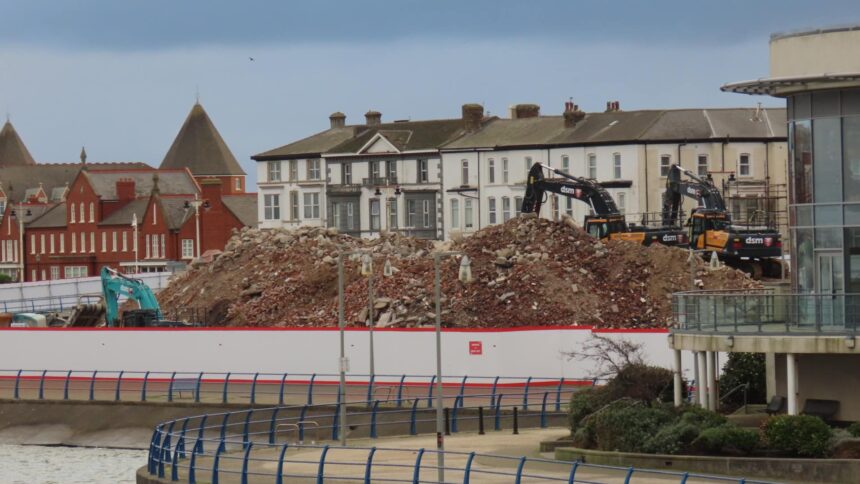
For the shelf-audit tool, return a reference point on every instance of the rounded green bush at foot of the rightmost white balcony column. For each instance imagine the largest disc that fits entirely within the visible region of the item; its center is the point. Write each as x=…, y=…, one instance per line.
x=797, y=435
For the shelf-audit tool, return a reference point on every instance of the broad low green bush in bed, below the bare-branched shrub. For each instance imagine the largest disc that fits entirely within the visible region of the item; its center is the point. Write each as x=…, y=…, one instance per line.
x=627, y=428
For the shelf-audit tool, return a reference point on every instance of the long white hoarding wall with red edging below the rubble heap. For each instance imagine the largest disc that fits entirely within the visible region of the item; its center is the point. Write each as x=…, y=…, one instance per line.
x=514, y=353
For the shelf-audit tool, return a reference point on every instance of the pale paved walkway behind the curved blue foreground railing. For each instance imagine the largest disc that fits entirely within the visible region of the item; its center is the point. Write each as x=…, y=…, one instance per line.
x=395, y=458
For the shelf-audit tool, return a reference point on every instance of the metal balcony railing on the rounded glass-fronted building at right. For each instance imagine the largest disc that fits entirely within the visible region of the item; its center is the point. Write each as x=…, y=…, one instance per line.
x=766, y=311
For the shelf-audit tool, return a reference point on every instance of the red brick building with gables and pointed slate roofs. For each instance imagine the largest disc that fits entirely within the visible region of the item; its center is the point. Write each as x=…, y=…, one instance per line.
x=78, y=218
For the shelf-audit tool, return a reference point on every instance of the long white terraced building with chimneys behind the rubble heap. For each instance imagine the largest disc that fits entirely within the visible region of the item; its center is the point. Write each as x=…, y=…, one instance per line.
x=434, y=178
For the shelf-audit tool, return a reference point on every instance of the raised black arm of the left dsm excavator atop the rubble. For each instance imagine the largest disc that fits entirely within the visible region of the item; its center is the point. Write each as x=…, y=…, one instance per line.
x=582, y=189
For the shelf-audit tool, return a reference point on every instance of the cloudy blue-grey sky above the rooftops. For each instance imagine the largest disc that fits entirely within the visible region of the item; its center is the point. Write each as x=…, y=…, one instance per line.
x=119, y=77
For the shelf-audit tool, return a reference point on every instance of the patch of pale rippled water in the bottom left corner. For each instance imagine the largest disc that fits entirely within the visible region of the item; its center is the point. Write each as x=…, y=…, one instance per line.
x=32, y=464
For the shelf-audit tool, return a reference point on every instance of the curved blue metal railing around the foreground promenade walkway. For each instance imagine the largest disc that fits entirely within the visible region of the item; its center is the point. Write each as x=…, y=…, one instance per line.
x=248, y=444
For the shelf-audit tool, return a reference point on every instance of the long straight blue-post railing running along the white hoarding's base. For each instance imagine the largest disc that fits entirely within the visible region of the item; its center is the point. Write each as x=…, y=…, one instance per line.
x=269, y=388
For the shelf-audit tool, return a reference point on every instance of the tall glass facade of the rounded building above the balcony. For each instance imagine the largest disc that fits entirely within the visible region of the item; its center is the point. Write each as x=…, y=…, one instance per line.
x=824, y=141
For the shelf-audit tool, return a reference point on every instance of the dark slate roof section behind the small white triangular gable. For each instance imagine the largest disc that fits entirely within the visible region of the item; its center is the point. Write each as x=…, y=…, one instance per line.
x=407, y=135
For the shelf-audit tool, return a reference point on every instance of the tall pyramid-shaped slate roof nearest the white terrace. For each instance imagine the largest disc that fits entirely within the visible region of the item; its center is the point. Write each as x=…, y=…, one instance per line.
x=200, y=148
